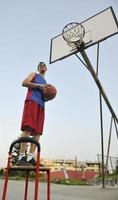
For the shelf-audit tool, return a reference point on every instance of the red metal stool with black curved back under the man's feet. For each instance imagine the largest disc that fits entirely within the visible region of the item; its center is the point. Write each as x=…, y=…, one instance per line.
x=36, y=168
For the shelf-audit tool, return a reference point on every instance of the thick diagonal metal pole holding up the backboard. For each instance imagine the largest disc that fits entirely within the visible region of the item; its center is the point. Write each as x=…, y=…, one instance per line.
x=90, y=67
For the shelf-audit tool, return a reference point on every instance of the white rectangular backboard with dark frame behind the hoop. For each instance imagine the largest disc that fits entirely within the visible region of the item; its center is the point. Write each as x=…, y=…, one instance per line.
x=97, y=28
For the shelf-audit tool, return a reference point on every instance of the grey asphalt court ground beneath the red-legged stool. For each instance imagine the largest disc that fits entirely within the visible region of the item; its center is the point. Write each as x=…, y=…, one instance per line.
x=60, y=192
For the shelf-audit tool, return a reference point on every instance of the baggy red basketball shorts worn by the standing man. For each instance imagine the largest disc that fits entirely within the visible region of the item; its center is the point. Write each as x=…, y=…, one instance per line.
x=33, y=118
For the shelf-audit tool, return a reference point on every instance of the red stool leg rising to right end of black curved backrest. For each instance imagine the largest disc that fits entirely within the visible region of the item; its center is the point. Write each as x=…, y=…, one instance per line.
x=37, y=176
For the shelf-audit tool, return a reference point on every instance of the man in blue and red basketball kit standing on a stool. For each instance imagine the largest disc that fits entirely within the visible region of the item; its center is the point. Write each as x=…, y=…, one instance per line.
x=34, y=112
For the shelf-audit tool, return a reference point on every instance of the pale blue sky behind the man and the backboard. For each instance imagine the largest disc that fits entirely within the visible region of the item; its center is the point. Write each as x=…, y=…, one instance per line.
x=72, y=122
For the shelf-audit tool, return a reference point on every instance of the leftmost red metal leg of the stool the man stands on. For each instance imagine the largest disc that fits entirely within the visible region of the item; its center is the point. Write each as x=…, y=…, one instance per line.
x=6, y=178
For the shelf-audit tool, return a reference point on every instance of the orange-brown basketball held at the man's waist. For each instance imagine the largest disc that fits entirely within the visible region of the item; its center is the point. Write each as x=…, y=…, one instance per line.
x=49, y=92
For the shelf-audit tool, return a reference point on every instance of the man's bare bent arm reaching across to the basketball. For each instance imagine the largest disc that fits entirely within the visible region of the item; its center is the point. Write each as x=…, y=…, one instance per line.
x=27, y=82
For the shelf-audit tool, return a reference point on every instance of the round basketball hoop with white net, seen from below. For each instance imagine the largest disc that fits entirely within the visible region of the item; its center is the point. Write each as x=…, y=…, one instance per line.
x=73, y=33
